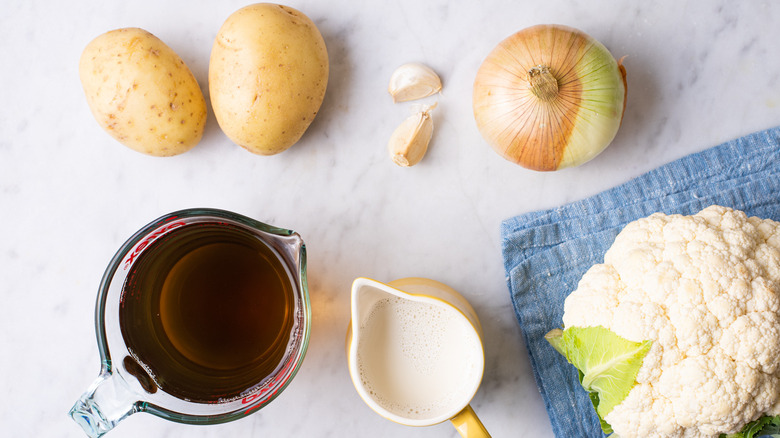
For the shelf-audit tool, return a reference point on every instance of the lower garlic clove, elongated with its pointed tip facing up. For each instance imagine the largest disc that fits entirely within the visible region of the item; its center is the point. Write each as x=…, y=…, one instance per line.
x=409, y=142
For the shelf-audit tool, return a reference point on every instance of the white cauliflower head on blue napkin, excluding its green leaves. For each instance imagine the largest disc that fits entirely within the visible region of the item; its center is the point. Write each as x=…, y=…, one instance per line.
x=705, y=290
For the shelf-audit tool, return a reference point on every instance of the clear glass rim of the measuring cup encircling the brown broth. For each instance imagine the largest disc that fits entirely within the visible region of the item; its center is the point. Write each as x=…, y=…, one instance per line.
x=217, y=215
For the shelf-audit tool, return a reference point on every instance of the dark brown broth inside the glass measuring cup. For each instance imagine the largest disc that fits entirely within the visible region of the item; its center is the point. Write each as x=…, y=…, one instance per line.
x=208, y=311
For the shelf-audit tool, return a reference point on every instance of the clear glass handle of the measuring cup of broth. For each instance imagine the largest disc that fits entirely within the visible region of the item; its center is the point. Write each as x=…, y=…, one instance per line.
x=105, y=403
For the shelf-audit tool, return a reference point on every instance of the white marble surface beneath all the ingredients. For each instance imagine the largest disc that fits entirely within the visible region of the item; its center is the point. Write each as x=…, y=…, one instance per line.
x=699, y=73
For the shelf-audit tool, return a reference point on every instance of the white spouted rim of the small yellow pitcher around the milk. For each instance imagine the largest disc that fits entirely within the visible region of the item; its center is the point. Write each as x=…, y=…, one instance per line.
x=355, y=373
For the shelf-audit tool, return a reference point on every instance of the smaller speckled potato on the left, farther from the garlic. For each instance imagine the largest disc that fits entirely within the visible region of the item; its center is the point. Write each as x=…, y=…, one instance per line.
x=142, y=93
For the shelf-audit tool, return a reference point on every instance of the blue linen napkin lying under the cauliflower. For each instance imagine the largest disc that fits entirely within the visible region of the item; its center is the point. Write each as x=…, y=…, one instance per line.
x=547, y=252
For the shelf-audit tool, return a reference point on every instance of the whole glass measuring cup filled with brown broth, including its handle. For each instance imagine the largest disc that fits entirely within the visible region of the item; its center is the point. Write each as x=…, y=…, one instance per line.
x=153, y=360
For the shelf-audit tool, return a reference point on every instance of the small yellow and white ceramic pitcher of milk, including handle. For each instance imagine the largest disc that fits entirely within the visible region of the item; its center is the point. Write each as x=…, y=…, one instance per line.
x=415, y=353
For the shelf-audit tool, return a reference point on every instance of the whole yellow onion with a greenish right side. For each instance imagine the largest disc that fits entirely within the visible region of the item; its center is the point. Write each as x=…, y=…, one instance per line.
x=549, y=97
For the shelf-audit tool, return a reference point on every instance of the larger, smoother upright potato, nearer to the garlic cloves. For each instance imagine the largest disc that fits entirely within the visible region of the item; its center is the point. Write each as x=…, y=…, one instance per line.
x=267, y=76
